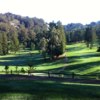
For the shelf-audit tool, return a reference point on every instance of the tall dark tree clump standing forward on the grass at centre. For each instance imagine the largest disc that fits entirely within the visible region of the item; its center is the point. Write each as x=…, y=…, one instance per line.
x=57, y=41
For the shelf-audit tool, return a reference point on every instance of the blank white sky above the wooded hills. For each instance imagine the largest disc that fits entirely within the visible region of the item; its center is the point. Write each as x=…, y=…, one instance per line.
x=67, y=11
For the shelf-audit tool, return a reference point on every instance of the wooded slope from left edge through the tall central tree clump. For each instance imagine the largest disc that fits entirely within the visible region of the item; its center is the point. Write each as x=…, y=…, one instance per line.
x=17, y=32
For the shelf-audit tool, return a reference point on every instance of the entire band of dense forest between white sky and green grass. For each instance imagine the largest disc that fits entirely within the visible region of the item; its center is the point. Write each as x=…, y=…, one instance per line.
x=18, y=32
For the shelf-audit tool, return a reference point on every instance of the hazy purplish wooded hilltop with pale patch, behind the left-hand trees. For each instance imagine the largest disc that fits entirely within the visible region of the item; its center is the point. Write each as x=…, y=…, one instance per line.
x=30, y=23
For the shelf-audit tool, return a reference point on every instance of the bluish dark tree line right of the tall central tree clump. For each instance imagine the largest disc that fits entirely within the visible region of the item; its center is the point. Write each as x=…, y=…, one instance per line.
x=90, y=34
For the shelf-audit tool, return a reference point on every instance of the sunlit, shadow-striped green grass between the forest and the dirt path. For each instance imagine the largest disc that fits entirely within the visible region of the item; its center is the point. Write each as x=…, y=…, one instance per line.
x=81, y=60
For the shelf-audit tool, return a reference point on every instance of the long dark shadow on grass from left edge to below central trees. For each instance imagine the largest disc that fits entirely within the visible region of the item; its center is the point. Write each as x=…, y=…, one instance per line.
x=37, y=60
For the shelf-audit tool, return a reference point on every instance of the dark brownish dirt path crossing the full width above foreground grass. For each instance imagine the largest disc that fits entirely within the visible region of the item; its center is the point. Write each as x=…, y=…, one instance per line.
x=45, y=78
